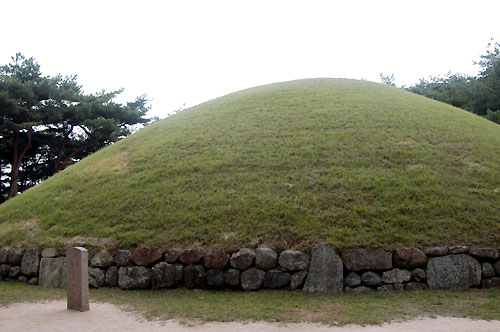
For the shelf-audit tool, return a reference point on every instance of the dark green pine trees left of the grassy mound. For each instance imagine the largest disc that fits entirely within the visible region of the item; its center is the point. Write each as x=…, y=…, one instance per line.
x=47, y=123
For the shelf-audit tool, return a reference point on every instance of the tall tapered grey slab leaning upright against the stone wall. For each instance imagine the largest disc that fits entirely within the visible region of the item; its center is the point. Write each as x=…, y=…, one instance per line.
x=326, y=271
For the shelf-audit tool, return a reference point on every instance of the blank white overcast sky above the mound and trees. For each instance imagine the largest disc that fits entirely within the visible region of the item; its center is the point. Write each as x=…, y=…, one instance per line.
x=188, y=52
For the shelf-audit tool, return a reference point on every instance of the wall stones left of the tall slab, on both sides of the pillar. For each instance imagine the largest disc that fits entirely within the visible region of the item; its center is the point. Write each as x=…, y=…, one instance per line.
x=128, y=268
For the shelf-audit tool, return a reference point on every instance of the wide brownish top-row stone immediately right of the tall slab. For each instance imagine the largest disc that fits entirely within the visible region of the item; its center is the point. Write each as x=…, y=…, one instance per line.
x=367, y=259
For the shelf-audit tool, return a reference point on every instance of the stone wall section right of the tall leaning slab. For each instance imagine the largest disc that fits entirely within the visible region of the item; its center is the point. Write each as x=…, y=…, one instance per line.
x=416, y=269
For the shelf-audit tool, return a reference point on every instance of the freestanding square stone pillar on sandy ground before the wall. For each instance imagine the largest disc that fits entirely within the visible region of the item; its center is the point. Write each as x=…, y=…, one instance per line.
x=77, y=279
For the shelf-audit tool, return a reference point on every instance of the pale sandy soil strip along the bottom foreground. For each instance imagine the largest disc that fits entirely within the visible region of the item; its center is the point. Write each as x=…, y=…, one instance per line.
x=53, y=316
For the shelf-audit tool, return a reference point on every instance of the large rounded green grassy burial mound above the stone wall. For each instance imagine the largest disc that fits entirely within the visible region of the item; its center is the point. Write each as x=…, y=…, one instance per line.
x=287, y=165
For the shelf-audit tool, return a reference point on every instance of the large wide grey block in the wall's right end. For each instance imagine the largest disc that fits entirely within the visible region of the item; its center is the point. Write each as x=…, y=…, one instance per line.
x=453, y=271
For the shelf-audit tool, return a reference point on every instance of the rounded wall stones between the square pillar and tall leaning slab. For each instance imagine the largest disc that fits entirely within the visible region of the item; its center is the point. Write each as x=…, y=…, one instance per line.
x=184, y=268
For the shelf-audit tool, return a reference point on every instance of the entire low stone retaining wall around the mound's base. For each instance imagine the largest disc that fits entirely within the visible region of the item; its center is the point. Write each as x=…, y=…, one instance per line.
x=322, y=270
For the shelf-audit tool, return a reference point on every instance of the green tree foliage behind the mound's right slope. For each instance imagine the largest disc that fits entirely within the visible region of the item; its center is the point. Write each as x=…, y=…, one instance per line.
x=479, y=94
